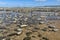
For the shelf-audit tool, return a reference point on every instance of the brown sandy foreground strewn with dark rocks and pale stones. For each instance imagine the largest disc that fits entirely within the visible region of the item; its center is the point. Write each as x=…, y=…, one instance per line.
x=45, y=31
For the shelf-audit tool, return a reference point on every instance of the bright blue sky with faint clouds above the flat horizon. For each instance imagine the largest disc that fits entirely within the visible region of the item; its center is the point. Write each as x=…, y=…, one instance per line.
x=28, y=3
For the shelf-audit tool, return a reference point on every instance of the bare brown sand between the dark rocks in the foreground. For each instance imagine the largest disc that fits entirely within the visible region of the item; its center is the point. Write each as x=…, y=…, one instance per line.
x=49, y=35
